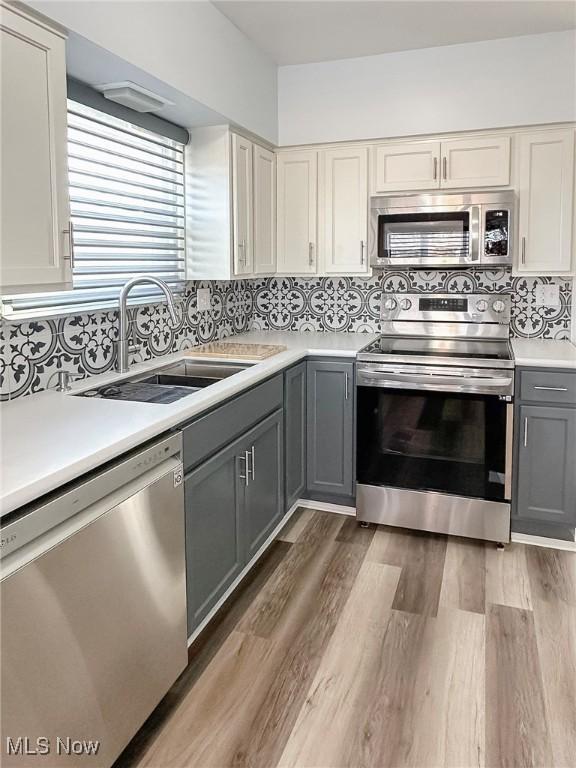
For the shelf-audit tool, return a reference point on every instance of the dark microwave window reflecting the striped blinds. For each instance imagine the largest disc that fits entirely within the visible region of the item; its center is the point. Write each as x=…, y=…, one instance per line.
x=405, y=237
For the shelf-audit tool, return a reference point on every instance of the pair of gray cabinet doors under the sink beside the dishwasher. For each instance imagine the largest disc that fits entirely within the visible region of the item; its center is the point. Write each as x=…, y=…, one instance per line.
x=234, y=500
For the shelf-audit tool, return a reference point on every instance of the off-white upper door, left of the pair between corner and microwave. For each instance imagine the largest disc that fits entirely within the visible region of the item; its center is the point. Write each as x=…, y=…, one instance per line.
x=297, y=215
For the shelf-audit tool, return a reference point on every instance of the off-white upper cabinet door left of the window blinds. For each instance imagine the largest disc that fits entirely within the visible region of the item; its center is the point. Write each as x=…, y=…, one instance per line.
x=35, y=213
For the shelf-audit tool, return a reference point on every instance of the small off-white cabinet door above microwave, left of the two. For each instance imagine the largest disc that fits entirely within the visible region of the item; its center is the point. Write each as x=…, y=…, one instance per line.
x=400, y=167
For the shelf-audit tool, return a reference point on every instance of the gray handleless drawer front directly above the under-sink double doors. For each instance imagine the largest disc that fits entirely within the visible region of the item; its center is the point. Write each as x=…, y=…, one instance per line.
x=217, y=428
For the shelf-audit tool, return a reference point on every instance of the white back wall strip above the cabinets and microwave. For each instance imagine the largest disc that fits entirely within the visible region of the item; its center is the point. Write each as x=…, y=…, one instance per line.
x=497, y=83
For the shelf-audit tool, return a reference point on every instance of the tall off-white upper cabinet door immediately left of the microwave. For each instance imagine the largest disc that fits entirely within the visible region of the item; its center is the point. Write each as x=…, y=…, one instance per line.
x=344, y=201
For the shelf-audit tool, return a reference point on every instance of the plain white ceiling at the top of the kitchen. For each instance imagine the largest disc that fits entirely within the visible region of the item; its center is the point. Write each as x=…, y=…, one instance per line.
x=310, y=31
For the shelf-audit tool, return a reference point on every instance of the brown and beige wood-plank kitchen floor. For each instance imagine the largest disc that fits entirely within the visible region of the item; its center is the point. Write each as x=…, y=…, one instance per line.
x=380, y=647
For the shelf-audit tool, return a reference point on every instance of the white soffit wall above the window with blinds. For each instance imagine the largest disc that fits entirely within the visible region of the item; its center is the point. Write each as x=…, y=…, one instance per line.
x=189, y=45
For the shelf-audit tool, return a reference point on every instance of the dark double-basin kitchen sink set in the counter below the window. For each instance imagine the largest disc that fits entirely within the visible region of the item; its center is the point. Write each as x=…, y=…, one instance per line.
x=167, y=384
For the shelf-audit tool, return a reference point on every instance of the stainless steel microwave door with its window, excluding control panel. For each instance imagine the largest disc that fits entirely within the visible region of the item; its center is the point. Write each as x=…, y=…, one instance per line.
x=429, y=236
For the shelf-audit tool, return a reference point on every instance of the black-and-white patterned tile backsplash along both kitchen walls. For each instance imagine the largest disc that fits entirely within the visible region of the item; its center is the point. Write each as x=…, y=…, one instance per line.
x=32, y=352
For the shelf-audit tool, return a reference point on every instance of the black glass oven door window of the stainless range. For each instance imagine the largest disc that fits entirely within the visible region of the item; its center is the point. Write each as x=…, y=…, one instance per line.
x=432, y=441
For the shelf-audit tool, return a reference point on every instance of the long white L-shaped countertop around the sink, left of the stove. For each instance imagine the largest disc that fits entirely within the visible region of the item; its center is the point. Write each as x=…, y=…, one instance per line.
x=51, y=438
